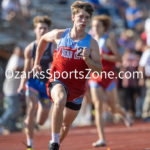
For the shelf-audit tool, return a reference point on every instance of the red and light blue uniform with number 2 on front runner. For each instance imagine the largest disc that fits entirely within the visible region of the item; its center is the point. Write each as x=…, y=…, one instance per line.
x=67, y=60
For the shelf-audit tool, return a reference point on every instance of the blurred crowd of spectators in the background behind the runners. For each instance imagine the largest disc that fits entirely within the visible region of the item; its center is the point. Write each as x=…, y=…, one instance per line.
x=130, y=28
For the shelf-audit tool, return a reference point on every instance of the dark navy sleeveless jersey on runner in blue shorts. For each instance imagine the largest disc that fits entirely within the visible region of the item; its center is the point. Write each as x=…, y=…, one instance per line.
x=46, y=59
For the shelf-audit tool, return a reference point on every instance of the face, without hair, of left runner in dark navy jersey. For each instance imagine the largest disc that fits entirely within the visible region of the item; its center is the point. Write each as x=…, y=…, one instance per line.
x=41, y=29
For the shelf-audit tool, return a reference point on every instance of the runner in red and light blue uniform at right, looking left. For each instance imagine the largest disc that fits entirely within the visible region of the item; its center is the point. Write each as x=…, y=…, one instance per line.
x=105, y=84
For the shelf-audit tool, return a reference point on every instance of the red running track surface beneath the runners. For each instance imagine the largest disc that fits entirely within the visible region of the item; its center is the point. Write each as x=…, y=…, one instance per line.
x=118, y=137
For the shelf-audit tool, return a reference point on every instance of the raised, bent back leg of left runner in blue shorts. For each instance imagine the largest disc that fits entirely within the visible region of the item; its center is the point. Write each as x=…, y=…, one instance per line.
x=43, y=111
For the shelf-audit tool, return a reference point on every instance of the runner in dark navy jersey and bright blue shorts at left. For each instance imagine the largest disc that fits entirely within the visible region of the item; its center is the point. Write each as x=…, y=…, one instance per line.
x=36, y=86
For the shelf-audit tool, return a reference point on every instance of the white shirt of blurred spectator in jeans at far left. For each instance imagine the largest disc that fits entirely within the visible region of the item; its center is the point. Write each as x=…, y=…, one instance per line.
x=11, y=84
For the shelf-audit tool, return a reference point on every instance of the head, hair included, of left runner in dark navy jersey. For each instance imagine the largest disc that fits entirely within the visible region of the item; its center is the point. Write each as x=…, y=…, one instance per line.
x=41, y=25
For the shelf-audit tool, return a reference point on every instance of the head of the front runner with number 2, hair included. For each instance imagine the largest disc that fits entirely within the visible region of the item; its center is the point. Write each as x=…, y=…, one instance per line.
x=81, y=13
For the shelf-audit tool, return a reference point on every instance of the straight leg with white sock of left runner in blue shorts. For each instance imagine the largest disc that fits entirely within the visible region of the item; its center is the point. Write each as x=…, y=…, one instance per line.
x=31, y=101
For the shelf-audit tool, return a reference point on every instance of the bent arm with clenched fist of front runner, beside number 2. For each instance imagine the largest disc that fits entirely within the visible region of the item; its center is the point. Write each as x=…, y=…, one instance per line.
x=92, y=57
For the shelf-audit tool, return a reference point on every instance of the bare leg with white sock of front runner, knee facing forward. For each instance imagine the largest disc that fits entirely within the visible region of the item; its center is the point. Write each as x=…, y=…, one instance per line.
x=59, y=96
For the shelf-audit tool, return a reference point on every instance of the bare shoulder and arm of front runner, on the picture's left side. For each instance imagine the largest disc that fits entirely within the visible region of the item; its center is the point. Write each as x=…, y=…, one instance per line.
x=53, y=37
